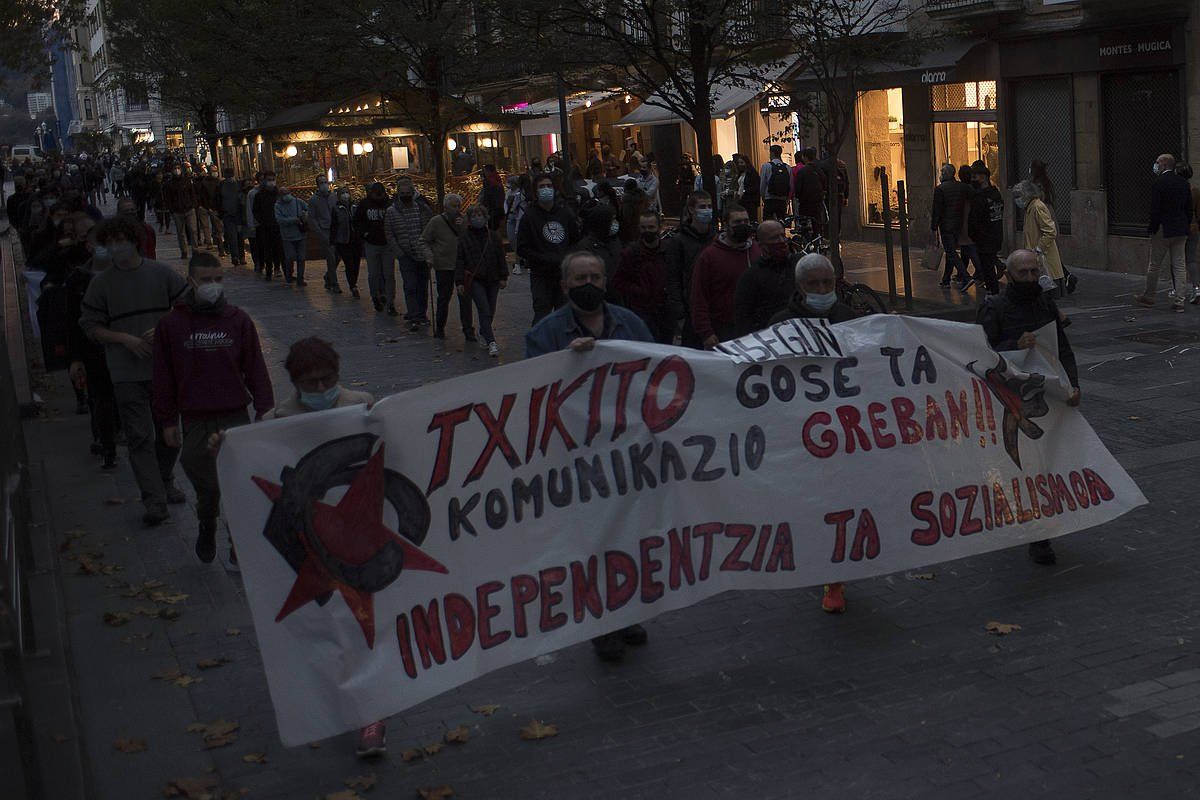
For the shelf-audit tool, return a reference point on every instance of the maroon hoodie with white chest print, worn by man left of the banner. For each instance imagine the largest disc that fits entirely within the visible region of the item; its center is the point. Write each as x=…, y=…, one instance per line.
x=208, y=364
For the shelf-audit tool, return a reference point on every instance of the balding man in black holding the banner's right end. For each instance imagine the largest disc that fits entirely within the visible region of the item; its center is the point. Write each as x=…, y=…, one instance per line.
x=1011, y=322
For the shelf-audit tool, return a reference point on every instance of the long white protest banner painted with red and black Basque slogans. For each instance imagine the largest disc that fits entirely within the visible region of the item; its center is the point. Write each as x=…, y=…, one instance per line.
x=393, y=555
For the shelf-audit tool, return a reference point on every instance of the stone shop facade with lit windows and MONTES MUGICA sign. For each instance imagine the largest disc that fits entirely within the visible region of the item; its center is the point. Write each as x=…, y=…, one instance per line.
x=1093, y=89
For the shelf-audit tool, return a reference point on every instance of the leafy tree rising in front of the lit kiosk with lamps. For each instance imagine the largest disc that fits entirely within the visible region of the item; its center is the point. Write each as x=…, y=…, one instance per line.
x=421, y=57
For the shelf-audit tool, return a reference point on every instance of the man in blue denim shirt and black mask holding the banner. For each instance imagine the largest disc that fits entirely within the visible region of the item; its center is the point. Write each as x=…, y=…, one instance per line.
x=578, y=326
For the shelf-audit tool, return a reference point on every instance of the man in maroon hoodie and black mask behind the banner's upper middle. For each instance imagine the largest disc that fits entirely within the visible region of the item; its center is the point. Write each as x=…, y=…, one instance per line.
x=716, y=278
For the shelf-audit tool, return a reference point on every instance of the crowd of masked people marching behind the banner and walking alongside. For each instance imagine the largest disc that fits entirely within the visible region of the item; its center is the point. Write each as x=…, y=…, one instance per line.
x=166, y=363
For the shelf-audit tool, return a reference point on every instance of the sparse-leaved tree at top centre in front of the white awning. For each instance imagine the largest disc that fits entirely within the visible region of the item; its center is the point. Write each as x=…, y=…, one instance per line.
x=674, y=55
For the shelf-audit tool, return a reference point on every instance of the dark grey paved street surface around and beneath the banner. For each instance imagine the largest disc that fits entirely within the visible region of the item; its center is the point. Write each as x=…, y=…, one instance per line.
x=747, y=695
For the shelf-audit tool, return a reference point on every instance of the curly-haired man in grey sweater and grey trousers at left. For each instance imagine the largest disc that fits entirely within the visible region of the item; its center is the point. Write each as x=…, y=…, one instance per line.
x=121, y=310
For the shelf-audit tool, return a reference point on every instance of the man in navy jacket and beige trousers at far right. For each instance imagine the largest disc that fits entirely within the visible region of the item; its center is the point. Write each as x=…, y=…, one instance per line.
x=1171, y=218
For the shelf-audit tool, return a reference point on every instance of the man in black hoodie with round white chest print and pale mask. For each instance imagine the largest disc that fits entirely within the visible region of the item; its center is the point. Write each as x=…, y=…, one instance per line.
x=548, y=233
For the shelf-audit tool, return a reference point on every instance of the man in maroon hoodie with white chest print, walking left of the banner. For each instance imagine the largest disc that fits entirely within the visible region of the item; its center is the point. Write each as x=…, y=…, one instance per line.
x=208, y=365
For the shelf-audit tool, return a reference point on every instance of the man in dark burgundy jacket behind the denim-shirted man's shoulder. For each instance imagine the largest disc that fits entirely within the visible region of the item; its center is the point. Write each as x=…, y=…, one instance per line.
x=640, y=281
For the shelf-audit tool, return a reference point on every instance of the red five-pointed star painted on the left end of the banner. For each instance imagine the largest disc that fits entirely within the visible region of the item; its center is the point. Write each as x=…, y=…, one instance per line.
x=353, y=533
